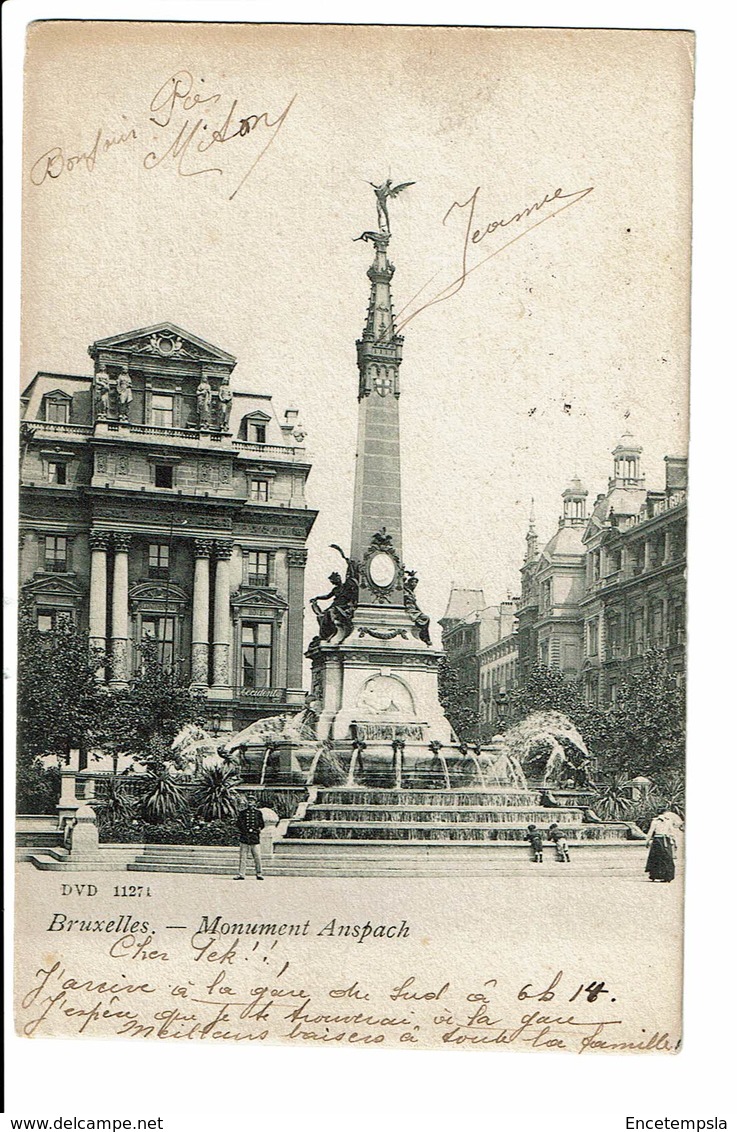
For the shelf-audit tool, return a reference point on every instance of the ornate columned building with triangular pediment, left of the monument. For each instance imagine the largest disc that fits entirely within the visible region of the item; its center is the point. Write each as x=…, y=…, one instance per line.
x=158, y=502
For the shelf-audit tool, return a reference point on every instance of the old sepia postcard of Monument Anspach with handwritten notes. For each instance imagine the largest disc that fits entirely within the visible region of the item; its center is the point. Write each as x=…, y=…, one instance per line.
x=354, y=495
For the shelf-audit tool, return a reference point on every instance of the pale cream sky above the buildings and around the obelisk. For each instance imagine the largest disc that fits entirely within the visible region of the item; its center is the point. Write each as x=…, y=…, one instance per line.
x=571, y=325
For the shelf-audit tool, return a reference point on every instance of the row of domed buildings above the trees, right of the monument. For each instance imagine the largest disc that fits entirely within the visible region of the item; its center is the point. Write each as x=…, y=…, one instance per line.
x=609, y=587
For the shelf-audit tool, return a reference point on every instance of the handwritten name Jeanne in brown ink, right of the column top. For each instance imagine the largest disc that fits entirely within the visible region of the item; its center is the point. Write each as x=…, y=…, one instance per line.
x=474, y=234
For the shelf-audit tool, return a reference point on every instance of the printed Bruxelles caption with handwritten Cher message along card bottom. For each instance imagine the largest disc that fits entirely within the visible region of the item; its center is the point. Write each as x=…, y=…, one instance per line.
x=248, y=982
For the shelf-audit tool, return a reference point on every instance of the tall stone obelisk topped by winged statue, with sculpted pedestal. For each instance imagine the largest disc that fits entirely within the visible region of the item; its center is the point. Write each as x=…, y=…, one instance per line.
x=374, y=668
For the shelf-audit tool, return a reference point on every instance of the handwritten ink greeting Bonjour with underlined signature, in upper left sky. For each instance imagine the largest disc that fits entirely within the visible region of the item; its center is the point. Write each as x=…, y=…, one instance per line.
x=186, y=128
